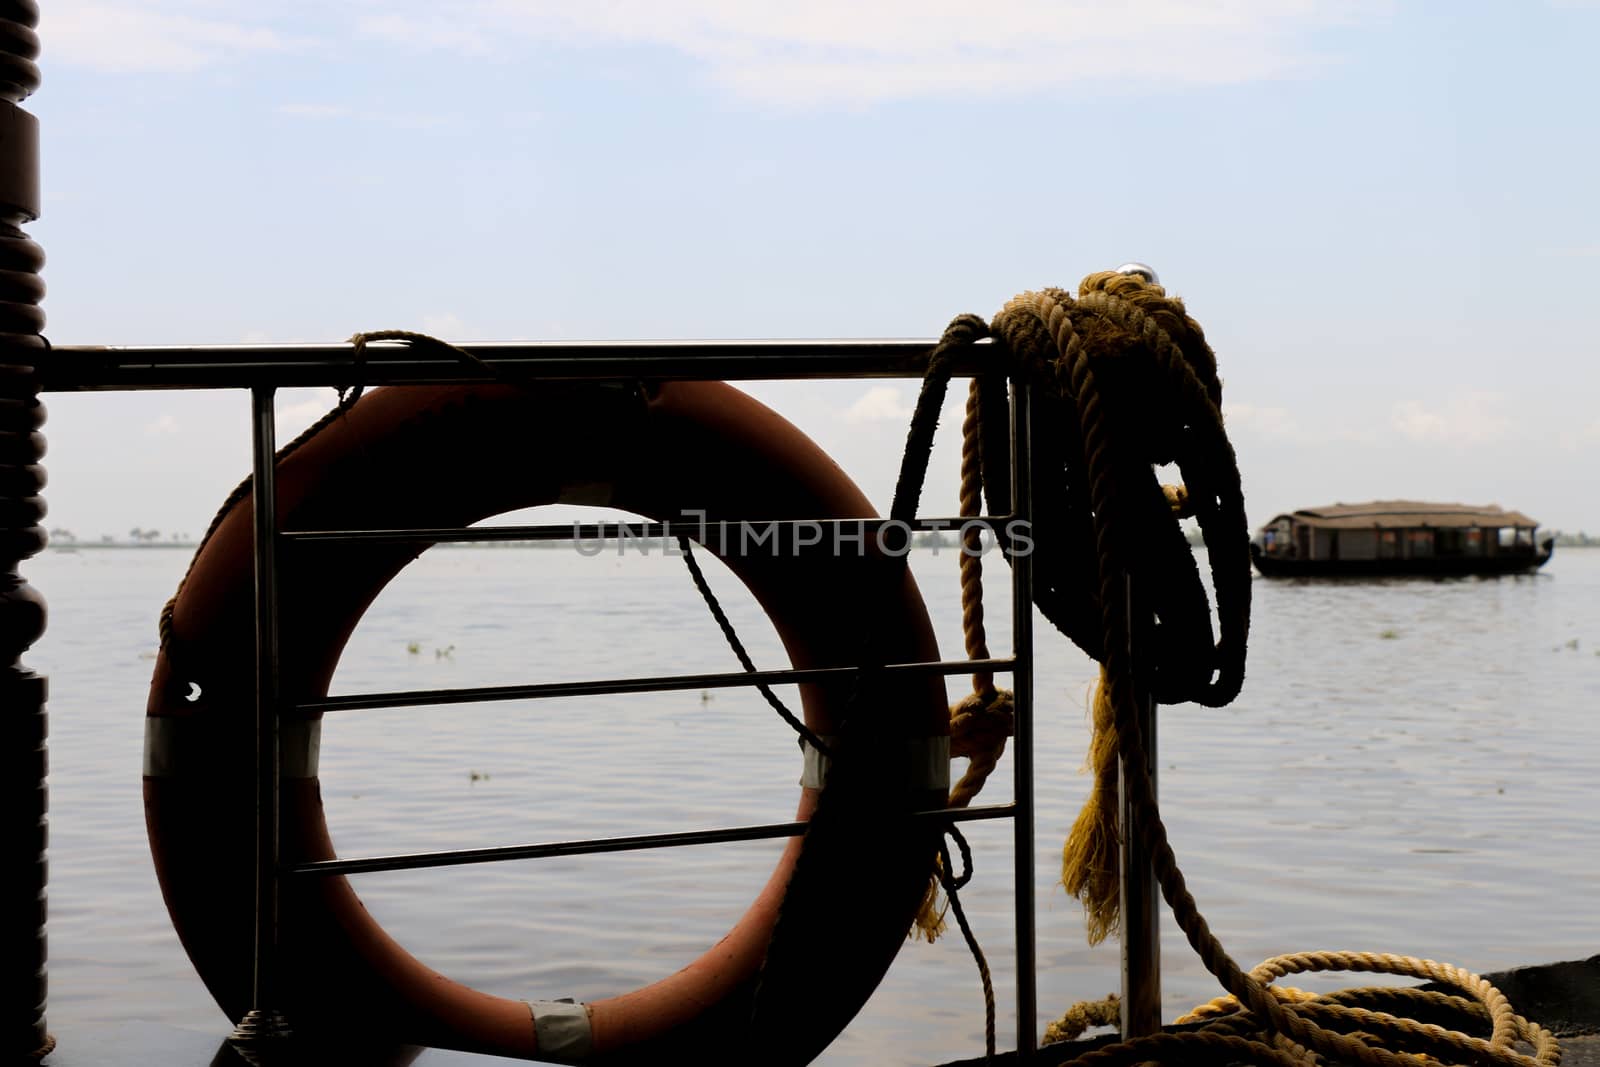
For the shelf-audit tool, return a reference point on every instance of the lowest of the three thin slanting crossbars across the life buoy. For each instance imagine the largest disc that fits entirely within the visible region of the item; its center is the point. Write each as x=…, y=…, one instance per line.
x=460, y=858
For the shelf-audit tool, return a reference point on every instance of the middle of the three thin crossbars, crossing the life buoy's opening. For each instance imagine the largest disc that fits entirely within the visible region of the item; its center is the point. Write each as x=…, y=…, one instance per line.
x=666, y=684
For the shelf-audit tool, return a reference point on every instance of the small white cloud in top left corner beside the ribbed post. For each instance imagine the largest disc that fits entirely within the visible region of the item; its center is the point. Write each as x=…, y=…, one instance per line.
x=129, y=38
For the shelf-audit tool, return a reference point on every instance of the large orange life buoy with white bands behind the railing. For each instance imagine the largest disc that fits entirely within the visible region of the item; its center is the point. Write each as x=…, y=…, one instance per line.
x=450, y=457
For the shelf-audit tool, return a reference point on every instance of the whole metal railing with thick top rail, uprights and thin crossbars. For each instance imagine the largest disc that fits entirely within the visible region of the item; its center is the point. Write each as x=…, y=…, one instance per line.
x=266, y=369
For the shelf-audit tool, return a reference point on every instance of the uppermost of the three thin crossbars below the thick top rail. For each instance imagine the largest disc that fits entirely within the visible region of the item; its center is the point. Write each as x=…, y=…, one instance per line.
x=700, y=532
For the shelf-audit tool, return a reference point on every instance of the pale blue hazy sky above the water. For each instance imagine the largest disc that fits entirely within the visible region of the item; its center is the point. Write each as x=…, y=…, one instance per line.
x=1383, y=214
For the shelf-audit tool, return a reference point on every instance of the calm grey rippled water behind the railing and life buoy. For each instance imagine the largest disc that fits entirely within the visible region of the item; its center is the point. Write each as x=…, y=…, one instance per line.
x=1410, y=770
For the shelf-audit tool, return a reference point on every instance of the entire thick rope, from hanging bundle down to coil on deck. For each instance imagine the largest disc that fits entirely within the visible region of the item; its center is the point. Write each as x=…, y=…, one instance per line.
x=1126, y=383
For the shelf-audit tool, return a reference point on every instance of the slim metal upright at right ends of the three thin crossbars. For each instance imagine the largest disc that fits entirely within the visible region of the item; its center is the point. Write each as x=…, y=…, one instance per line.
x=1023, y=724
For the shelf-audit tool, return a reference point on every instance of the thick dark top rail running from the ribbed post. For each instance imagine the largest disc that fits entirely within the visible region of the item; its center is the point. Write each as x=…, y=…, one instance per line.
x=385, y=362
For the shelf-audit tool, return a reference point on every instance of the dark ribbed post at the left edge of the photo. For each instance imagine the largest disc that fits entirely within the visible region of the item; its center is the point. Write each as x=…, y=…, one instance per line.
x=23, y=350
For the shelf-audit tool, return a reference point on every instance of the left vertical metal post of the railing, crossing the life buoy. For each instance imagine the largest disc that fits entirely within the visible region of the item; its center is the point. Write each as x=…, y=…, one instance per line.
x=265, y=1026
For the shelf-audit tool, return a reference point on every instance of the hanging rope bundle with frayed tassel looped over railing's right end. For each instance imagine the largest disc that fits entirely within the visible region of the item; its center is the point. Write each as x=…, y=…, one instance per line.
x=1126, y=374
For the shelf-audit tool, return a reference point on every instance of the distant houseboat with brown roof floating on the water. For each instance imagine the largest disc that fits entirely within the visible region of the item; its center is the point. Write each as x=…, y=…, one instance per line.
x=1399, y=538
